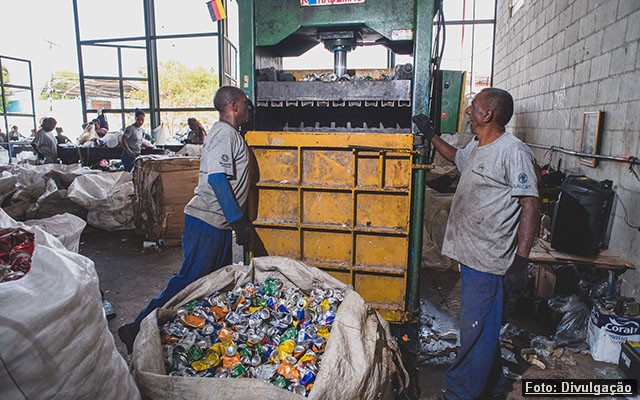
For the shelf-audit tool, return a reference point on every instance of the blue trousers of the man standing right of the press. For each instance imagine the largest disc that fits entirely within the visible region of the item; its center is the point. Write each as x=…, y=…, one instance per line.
x=476, y=372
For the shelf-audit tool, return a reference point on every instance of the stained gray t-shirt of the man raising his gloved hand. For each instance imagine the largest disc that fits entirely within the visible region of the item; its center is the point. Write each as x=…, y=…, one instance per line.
x=485, y=212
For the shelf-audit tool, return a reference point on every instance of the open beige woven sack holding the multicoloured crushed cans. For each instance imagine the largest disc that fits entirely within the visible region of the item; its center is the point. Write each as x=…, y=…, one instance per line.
x=361, y=360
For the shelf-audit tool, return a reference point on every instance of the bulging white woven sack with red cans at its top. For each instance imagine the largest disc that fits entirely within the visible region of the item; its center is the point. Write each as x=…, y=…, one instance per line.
x=54, y=339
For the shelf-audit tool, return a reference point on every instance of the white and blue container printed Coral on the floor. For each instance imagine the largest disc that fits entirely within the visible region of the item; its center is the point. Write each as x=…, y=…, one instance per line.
x=607, y=332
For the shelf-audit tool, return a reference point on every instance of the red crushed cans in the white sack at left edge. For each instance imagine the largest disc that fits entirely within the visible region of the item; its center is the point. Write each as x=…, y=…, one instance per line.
x=16, y=249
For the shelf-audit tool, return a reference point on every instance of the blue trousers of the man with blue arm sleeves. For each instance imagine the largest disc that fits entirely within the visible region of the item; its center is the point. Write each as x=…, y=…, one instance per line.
x=206, y=249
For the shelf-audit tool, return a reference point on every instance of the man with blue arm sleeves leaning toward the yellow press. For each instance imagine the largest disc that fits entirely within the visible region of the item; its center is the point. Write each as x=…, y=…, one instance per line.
x=217, y=204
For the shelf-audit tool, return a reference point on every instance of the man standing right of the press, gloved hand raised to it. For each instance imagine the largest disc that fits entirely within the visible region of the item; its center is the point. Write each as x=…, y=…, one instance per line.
x=490, y=233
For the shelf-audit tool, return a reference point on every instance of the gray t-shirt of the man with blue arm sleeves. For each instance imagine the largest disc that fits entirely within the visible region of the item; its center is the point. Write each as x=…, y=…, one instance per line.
x=224, y=151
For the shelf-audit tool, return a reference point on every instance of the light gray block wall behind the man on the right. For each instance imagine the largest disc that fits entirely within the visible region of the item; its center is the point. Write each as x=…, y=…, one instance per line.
x=559, y=58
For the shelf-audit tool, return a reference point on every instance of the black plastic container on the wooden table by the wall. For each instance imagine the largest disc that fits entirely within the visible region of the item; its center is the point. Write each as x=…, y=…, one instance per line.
x=581, y=215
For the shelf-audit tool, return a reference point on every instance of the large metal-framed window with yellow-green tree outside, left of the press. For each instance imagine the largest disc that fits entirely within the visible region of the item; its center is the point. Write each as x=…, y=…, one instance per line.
x=162, y=56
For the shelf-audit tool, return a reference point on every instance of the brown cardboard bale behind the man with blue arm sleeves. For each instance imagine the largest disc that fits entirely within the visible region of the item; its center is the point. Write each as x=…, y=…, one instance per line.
x=163, y=186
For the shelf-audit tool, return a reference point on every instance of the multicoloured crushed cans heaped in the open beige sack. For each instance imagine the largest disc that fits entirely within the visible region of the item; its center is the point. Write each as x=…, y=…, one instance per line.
x=263, y=331
